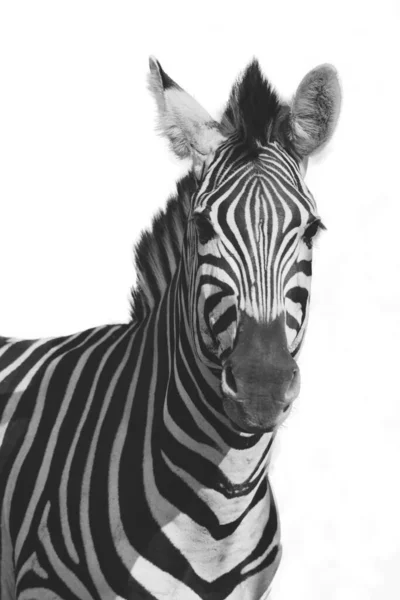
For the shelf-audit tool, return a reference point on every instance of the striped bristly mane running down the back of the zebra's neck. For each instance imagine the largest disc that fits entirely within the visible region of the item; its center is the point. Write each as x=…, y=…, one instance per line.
x=158, y=251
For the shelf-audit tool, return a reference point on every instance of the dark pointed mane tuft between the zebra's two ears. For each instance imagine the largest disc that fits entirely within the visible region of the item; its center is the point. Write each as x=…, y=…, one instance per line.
x=254, y=110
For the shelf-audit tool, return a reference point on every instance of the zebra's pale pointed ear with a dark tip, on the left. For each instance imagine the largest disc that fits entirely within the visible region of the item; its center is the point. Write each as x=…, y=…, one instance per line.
x=182, y=120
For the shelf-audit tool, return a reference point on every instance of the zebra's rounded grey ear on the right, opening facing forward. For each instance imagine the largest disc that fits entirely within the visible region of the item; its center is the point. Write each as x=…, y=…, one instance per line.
x=315, y=110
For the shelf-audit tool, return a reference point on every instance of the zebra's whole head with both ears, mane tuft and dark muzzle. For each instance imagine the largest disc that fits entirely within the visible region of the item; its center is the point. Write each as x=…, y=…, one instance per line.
x=252, y=221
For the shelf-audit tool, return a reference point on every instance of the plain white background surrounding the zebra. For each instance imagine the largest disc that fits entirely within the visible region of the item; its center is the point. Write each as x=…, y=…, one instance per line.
x=82, y=171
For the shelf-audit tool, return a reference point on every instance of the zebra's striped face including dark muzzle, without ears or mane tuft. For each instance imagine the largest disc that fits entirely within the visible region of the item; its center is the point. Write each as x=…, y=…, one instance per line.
x=252, y=229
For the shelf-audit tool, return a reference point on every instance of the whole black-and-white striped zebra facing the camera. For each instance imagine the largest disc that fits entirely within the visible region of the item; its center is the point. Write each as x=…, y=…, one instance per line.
x=134, y=457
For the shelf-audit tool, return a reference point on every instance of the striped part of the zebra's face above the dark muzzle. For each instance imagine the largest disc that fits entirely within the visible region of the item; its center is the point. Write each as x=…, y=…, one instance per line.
x=258, y=261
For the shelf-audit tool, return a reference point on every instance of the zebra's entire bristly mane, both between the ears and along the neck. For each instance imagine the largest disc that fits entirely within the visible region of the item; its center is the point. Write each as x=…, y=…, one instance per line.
x=252, y=115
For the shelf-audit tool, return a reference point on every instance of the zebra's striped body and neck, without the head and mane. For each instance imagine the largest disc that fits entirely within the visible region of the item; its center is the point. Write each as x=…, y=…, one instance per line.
x=65, y=505
